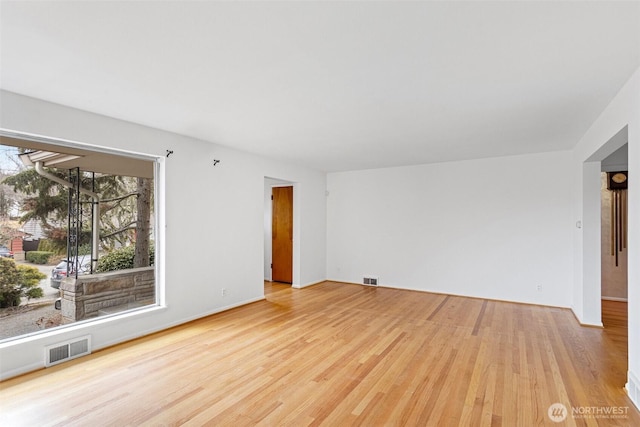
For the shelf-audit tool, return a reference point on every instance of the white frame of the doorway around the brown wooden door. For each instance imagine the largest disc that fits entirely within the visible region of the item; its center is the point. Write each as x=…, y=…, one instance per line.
x=269, y=183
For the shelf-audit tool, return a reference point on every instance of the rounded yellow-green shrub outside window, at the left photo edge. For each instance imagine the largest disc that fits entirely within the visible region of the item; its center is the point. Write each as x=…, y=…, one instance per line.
x=17, y=281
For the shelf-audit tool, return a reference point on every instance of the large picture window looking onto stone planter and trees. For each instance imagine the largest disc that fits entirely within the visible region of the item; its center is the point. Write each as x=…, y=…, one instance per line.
x=77, y=234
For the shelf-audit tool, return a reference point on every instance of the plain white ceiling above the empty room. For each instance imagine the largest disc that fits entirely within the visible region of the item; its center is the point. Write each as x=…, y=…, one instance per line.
x=332, y=85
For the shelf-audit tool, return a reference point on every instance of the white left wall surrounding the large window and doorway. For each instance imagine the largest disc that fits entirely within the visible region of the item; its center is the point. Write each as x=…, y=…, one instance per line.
x=225, y=204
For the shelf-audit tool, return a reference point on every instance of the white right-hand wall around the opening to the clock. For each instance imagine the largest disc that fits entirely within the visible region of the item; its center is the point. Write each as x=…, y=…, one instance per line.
x=621, y=116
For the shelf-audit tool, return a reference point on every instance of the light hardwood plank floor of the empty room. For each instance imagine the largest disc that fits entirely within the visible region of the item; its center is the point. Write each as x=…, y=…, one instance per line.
x=342, y=355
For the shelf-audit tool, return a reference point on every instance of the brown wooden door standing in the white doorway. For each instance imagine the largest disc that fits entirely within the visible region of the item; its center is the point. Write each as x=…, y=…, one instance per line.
x=282, y=234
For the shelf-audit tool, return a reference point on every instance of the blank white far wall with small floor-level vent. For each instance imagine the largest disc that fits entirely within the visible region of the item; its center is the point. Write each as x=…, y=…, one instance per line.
x=492, y=228
